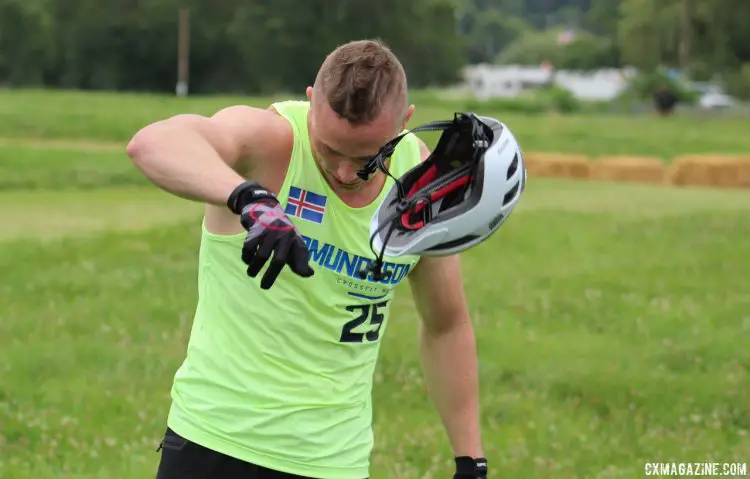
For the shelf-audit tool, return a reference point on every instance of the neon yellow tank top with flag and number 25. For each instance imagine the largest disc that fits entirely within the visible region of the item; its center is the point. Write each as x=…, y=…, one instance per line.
x=283, y=377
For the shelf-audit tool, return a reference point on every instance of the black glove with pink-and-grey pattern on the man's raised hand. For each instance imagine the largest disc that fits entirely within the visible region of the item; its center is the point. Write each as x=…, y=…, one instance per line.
x=269, y=231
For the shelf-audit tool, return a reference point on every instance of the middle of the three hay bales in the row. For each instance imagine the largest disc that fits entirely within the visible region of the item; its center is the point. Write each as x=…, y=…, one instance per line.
x=636, y=169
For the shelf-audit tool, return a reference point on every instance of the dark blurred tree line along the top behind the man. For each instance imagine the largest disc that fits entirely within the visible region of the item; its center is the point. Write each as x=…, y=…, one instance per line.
x=268, y=46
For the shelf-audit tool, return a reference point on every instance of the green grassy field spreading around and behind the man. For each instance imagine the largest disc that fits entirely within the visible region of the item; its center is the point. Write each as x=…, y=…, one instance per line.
x=612, y=326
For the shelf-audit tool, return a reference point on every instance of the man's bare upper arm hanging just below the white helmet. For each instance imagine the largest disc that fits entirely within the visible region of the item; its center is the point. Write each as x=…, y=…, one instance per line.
x=437, y=286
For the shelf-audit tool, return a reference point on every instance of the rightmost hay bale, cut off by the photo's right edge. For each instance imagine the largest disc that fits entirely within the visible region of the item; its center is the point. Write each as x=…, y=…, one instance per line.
x=720, y=171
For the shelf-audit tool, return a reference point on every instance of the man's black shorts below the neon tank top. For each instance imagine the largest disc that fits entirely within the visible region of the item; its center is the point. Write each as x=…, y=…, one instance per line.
x=183, y=459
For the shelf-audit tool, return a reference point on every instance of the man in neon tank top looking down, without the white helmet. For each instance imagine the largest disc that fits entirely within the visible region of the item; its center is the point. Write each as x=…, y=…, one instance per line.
x=278, y=374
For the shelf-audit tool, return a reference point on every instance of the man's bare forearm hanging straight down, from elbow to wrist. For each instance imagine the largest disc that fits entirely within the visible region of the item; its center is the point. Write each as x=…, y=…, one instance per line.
x=449, y=363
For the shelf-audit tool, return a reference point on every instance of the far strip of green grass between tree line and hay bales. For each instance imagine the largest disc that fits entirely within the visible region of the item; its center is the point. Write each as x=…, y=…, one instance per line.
x=32, y=115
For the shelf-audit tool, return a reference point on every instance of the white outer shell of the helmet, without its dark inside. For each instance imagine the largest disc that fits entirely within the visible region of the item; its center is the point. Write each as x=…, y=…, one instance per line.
x=475, y=207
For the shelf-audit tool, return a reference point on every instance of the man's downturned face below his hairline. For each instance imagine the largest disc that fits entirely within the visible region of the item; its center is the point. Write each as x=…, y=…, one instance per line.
x=341, y=149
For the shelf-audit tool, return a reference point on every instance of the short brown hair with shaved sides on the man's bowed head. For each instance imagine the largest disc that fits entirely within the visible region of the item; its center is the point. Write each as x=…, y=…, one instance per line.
x=359, y=78
